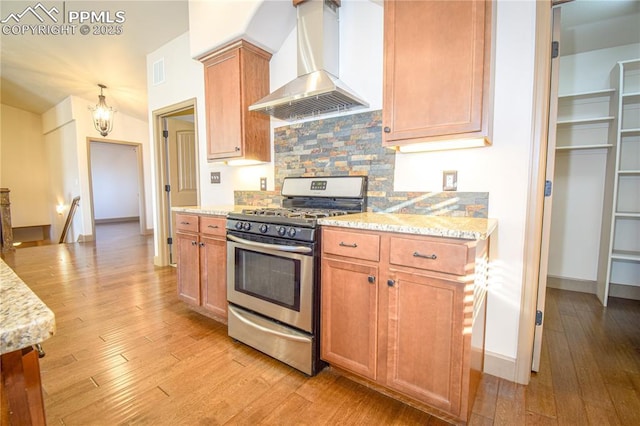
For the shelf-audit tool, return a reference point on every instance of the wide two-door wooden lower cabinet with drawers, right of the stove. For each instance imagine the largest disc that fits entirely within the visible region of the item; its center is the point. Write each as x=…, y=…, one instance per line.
x=394, y=314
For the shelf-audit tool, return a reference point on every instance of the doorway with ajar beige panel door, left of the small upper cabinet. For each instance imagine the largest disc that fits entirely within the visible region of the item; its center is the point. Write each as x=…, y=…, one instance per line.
x=177, y=165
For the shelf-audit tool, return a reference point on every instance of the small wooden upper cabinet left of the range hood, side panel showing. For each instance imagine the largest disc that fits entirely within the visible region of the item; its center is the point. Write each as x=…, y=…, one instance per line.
x=236, y=76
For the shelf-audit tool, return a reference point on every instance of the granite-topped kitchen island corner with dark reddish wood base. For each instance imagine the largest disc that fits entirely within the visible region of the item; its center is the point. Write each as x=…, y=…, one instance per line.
x=25, y=321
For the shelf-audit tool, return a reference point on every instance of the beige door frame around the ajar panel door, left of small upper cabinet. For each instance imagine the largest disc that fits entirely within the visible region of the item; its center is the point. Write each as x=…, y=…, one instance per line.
x=162, y=257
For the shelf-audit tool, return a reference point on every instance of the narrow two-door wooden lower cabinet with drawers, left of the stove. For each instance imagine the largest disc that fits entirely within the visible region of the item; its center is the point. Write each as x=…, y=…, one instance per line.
x=202, y=263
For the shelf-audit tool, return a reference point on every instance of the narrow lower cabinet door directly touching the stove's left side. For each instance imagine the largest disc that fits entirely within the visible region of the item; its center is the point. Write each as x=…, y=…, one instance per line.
x=213, y=272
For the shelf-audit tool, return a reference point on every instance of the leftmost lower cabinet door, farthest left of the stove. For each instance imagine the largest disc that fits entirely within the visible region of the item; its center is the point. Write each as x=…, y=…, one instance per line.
x=188, y=268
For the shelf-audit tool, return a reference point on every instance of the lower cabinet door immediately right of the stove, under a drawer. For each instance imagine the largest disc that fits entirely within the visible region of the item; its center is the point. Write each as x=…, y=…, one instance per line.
x=349, y=316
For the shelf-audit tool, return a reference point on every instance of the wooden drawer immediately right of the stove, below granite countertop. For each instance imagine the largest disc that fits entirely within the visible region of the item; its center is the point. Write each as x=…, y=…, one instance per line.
x=351, y=244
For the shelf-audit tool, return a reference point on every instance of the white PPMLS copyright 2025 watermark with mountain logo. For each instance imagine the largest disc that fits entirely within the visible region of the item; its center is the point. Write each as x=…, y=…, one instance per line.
x=39, y=20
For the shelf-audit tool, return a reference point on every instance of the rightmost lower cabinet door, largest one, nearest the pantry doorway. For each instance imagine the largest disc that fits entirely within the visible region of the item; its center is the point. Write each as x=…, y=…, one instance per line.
x=425, y=339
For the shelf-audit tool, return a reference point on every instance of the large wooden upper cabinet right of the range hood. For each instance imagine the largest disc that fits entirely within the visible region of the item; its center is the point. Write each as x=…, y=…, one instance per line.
x=437, y=57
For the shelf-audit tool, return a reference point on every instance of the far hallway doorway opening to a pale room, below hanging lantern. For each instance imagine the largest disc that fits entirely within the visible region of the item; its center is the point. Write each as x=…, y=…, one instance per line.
x=116, y=182
